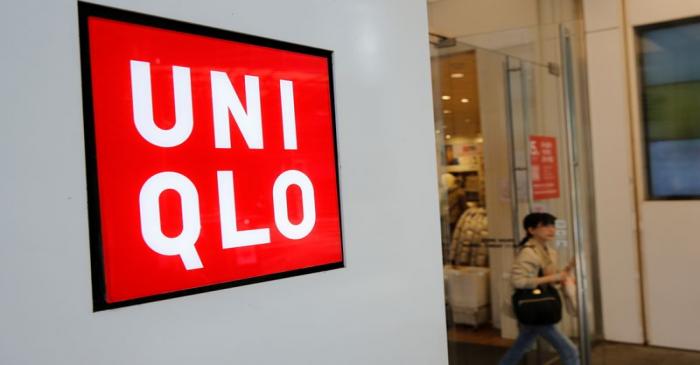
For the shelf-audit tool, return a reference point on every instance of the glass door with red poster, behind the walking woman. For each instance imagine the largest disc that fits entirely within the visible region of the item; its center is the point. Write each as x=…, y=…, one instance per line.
x=541, y=164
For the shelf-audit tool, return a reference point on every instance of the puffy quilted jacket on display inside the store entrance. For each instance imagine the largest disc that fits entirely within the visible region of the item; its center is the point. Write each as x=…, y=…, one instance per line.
x=467, y=247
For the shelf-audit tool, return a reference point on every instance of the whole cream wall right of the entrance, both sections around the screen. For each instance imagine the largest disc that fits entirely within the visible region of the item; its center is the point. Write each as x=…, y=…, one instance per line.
x=667, y=238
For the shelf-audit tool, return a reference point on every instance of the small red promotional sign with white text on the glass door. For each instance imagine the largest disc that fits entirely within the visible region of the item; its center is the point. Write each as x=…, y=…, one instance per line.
x=544, y=167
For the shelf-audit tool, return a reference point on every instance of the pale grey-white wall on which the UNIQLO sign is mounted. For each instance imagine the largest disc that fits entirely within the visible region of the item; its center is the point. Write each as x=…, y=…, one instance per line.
x=386, y=306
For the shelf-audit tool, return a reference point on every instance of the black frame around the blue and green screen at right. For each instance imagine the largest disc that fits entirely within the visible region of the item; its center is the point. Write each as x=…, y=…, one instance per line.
x=642, y=97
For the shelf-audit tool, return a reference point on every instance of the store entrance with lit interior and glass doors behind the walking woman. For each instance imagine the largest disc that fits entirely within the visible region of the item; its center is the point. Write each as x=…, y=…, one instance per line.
x=507, y=144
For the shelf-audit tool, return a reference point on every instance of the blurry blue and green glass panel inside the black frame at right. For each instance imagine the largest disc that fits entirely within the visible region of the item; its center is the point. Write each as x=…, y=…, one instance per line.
x=670, y=75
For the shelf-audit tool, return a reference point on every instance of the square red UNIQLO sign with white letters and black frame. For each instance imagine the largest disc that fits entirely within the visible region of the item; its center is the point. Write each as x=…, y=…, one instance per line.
x=211, y=157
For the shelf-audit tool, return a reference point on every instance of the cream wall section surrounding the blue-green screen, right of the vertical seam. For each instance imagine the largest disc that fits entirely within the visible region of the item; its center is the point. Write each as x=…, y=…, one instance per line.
x=669, y=238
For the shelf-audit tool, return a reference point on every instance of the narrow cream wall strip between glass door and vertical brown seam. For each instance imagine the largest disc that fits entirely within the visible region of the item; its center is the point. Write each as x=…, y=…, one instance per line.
x=613, y=175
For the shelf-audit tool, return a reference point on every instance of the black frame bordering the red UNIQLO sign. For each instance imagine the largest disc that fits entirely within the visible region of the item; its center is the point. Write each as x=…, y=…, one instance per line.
x=86, y=10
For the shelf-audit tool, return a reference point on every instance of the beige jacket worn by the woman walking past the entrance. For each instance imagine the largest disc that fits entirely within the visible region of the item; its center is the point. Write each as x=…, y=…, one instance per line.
x=527, y=264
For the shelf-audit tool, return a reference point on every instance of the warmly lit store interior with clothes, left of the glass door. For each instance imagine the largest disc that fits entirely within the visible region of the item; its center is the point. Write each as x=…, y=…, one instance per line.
x=464, y=218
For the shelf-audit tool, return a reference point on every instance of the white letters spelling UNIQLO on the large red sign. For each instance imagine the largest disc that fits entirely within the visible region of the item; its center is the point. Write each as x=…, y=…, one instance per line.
x=225, y=103
